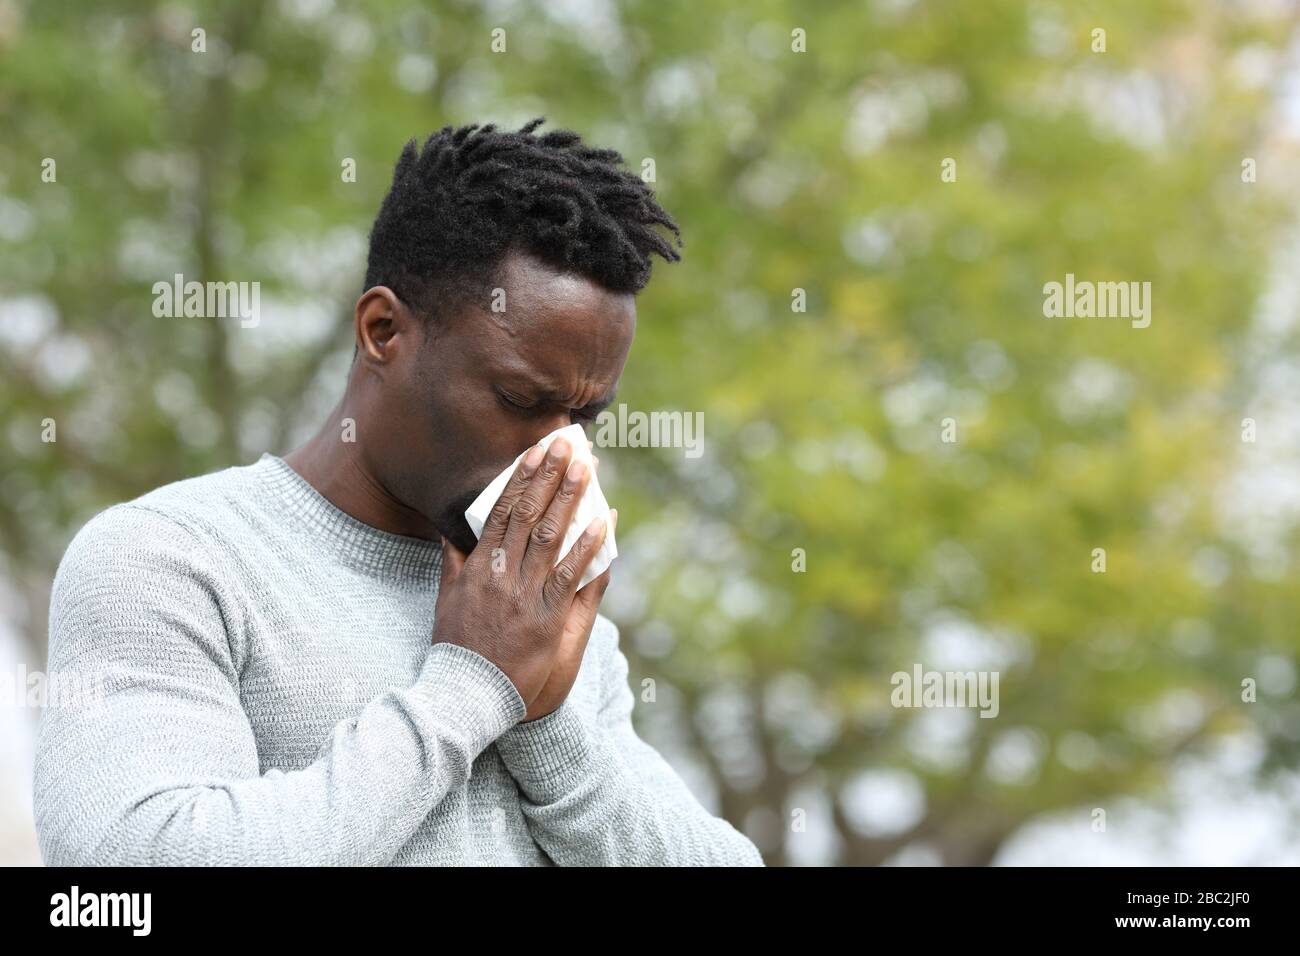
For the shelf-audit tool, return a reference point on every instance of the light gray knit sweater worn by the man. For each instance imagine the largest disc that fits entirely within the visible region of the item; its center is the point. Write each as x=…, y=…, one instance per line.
x=265, y=690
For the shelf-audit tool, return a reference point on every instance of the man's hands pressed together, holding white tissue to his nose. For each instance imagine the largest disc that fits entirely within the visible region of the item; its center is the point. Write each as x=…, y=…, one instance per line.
x=509, y=600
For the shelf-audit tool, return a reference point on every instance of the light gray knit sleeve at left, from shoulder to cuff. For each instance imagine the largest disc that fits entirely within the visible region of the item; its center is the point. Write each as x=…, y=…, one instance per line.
x=157, y=763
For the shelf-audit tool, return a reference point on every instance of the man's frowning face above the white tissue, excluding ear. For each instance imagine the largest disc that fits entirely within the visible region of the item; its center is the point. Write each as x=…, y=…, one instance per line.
x=488, y=386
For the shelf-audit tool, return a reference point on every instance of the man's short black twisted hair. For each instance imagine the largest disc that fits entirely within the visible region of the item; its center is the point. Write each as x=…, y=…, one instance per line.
x=475, y=193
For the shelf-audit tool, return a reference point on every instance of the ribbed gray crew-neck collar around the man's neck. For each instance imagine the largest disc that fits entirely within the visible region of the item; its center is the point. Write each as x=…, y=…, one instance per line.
x=356, y=543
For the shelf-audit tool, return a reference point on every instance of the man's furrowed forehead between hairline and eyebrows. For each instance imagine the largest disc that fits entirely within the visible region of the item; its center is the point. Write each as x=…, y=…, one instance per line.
x=560, y=331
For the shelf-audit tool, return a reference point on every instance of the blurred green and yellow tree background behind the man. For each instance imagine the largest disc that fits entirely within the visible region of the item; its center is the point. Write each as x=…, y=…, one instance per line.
x=1171, y=157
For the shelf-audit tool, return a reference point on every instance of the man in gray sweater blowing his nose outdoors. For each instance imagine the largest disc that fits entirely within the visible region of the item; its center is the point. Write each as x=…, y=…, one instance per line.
x=313, y=660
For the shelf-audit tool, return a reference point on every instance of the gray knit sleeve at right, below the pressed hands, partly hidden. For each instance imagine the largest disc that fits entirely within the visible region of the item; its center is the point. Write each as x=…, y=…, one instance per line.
x=601, y=797
